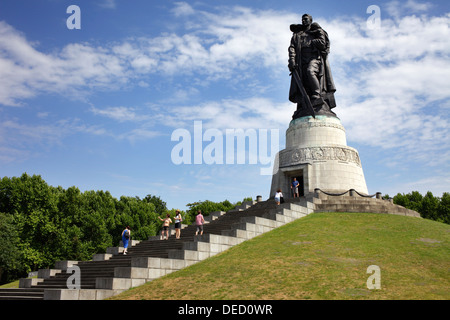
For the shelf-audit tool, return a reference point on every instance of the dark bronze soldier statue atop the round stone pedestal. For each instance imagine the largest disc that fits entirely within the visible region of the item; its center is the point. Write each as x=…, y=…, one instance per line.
x=312, y=87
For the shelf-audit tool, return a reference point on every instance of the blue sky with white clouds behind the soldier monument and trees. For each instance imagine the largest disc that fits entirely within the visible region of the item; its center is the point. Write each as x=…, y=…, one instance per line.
x=96, y=107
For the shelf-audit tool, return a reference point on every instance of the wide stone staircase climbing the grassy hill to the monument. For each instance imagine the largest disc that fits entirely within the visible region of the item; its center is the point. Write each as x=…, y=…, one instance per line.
x=111, y=273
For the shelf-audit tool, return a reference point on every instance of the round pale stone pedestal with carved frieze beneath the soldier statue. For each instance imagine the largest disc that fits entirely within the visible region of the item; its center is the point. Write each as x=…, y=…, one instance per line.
x=318, y=156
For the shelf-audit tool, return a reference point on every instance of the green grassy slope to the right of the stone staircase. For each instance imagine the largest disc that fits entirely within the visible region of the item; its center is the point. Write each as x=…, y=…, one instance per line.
x=321, y=256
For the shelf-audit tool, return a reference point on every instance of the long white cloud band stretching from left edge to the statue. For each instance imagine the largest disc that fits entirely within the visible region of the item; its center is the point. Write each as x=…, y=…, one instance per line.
x=221, y=46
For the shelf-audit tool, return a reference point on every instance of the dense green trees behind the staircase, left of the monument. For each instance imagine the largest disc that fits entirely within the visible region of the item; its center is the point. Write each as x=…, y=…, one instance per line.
x=41, y=224
